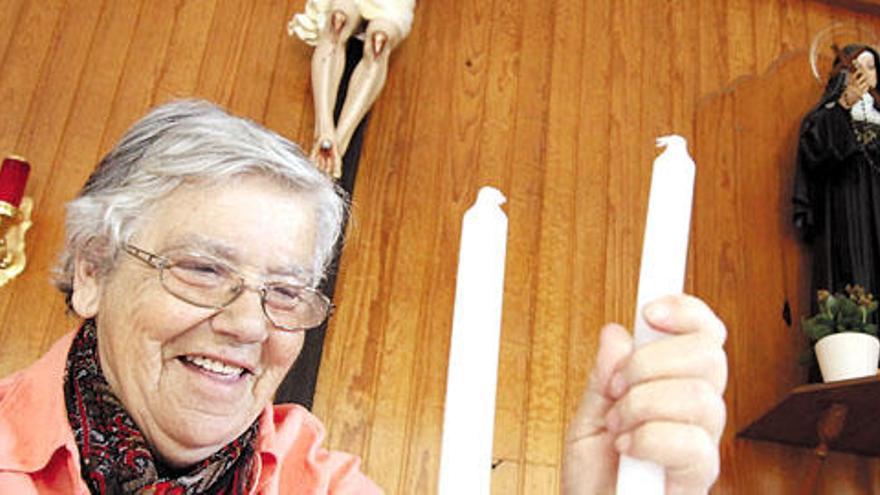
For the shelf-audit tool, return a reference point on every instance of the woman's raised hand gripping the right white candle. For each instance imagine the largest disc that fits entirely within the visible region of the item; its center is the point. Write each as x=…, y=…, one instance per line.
x=661, y=402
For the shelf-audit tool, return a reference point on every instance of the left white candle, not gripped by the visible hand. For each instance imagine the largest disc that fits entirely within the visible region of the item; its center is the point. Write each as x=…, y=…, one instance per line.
x=469, y=416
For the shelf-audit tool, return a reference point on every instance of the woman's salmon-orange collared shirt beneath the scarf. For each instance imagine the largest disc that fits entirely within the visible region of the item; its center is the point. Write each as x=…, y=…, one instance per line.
x=38, y=454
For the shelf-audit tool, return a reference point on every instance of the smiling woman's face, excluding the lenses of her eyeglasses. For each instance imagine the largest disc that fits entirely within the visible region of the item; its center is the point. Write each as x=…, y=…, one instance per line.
x=193, y=378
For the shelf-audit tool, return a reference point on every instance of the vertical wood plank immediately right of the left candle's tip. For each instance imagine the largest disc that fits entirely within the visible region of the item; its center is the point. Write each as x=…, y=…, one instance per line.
x=524, y=210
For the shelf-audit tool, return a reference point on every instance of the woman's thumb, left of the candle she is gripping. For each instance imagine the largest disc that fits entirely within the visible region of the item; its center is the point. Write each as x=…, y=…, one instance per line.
x=615, y=345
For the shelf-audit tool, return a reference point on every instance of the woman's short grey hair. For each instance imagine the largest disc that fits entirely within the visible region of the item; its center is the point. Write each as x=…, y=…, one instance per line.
x=186, y=142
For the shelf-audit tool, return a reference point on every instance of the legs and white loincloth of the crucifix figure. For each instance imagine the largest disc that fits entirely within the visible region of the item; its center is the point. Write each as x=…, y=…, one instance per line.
x=328, y=25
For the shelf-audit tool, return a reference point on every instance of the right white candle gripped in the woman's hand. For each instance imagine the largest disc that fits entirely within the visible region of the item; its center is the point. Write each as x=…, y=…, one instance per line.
x=664, y=256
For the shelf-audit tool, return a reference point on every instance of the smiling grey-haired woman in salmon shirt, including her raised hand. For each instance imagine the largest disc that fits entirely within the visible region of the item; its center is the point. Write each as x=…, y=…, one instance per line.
x=192, y=256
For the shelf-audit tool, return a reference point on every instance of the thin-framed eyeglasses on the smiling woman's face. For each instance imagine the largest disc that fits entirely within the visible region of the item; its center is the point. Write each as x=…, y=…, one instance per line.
x=208, y=283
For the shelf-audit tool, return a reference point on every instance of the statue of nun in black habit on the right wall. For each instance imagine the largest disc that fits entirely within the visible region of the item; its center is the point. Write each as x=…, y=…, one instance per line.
x=837, y=185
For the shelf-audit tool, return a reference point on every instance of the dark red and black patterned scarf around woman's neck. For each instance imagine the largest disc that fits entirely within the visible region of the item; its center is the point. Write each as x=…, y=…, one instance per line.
x=115, y=455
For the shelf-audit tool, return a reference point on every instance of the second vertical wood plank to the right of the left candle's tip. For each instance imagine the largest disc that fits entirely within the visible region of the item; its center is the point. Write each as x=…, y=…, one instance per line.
x=552, y=324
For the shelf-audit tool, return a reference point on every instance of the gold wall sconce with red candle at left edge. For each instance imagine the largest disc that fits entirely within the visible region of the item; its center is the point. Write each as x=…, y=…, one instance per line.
x=15, y=217
